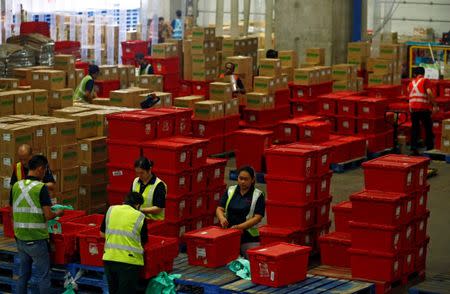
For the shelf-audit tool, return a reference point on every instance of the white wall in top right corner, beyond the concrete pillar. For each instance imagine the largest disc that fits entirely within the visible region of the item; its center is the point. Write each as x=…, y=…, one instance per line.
x=415, y=10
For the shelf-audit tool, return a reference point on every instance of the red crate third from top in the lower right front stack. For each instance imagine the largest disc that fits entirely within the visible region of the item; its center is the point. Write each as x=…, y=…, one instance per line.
x=374, y=237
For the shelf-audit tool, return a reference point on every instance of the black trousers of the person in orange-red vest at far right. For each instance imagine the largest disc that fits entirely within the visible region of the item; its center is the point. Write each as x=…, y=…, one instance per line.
x=418, y=118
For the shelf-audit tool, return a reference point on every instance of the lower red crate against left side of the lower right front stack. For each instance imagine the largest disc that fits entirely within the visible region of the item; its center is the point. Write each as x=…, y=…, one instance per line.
x=333, y=249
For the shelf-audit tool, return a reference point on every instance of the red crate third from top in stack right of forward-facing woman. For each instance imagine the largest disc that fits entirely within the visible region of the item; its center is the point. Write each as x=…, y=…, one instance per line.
x=286, y=214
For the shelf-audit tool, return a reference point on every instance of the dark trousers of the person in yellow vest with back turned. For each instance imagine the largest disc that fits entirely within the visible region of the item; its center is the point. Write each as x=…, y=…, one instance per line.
x=122, y=278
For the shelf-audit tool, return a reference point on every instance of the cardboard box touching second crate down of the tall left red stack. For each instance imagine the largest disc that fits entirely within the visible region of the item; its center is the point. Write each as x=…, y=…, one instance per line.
x=93, y=150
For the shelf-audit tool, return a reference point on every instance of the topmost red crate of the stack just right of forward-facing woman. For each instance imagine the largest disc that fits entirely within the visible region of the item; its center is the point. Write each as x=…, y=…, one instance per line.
x=285, y=161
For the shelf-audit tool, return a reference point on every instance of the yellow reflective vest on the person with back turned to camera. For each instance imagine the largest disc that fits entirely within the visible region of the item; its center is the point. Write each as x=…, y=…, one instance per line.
x=122, y=235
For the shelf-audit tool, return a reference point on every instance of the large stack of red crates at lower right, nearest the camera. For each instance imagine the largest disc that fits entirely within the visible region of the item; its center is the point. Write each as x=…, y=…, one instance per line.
x=389, y=219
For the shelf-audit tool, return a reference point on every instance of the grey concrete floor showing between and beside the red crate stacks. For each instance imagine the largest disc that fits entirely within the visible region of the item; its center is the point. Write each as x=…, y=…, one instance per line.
x=438, y=260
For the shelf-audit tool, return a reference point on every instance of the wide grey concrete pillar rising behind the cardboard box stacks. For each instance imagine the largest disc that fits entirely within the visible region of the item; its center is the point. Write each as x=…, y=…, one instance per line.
x=301, y=24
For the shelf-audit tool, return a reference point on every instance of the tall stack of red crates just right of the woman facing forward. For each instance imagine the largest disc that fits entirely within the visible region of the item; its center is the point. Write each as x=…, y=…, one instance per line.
x=298, y=188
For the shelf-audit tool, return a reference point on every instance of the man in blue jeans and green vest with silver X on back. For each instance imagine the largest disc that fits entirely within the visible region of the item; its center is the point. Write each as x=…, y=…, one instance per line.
x=31, y=209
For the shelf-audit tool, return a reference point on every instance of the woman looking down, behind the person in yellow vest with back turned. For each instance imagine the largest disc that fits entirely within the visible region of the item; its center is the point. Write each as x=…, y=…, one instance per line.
x=151, y=188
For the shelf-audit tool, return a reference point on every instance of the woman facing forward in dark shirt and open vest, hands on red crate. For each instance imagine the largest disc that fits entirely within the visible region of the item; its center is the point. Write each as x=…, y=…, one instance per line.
x=242, y=207
